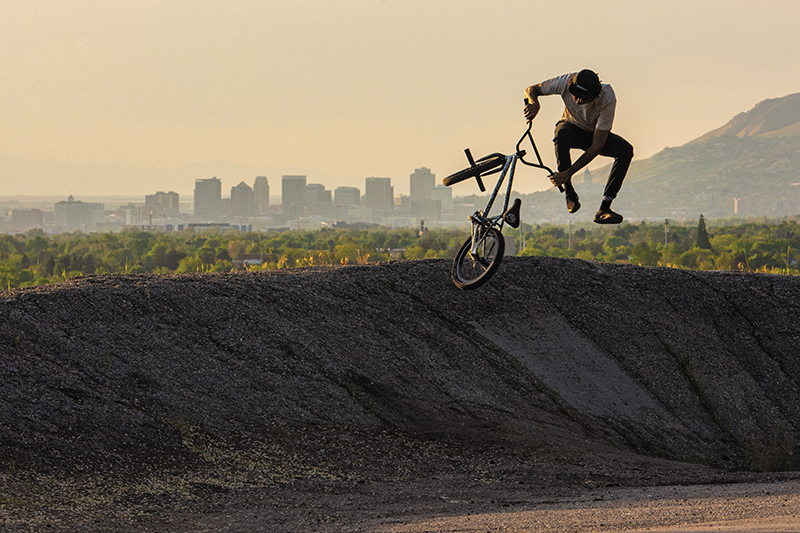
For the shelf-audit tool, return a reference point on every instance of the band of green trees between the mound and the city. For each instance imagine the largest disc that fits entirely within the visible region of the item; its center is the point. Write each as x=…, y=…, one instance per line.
x=35, y=258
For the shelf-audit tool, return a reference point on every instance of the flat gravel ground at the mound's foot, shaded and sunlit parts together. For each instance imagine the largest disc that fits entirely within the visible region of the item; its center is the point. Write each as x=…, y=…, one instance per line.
x=462, y=506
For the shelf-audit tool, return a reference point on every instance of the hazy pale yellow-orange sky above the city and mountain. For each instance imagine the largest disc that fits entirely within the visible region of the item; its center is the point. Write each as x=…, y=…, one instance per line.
x=130, y=97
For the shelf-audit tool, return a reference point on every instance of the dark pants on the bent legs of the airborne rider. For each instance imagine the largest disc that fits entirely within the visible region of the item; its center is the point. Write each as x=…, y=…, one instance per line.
x=568, y=136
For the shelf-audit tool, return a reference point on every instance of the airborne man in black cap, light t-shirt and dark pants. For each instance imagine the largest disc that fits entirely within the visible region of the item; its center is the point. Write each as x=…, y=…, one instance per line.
x=589, y=107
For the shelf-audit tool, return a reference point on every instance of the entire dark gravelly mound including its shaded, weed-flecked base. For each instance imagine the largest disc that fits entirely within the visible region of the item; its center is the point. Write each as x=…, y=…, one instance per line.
x=381, y=397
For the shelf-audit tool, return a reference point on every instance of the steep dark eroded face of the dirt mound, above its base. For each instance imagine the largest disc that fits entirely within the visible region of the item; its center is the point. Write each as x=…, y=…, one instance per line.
x=695, y=366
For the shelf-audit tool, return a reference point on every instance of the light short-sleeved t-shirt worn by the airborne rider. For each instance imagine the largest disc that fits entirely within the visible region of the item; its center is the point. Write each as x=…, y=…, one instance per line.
x=599, y=113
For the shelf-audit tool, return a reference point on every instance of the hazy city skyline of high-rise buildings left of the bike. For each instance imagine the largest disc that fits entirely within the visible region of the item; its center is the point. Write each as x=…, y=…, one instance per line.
x=300, y=203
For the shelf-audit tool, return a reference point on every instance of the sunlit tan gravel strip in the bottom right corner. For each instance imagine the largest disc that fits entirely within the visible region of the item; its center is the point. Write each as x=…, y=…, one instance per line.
x=746, y=507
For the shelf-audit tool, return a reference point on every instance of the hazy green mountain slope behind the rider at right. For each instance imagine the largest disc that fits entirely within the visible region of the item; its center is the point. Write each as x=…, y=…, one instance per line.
x=749, y=167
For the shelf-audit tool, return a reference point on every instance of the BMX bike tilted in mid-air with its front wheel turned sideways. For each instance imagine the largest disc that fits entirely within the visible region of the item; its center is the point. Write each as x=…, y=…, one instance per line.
x=481, y=254
